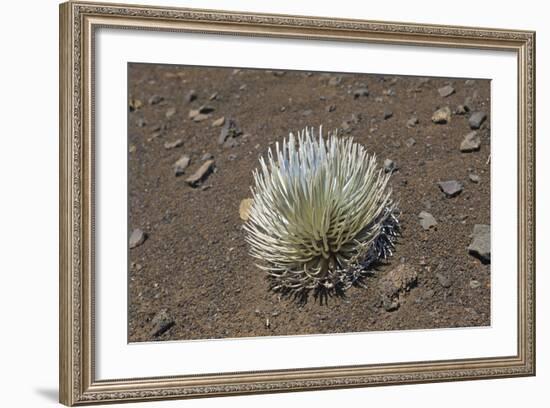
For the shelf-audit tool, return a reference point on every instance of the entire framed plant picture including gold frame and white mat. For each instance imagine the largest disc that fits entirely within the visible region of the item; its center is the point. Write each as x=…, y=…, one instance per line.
x=258, y=203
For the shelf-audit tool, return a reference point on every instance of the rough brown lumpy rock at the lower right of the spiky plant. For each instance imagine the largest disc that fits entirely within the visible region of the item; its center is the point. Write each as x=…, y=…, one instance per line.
x=394, y=284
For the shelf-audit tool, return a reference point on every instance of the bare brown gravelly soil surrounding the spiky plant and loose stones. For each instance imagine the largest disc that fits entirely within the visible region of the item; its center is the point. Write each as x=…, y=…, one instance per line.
x=195, y=263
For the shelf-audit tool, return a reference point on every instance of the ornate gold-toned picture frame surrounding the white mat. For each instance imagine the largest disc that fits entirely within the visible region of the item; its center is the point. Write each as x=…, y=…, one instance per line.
x=78, y=21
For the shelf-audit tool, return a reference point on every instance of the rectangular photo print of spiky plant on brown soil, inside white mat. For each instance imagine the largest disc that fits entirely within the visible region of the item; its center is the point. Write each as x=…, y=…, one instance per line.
x=276, y=203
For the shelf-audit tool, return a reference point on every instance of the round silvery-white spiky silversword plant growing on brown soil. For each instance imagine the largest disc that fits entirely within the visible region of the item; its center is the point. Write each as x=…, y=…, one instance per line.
x=322, y=214
